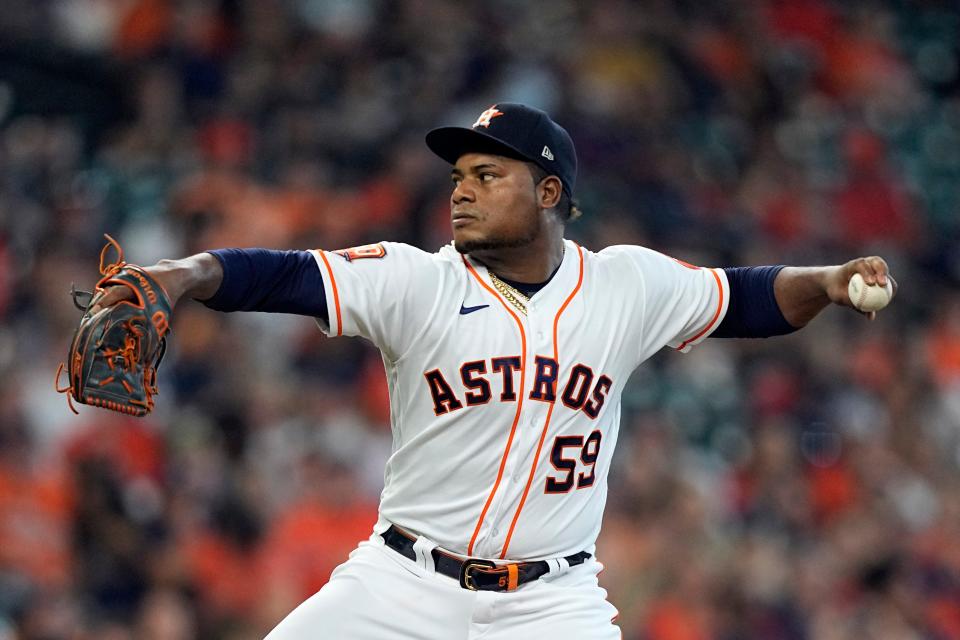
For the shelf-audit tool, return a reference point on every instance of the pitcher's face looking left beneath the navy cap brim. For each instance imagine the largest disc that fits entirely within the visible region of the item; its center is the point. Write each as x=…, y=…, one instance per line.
x=494, y=204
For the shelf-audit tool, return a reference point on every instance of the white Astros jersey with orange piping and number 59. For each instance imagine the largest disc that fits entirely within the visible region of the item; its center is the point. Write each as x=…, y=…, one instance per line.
x=504, y=424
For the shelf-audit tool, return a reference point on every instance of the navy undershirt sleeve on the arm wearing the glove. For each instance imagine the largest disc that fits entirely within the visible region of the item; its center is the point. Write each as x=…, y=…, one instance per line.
x=272, y=281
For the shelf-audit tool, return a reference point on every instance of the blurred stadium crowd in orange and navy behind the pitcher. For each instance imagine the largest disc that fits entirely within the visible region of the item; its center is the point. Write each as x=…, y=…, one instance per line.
x=798, y=488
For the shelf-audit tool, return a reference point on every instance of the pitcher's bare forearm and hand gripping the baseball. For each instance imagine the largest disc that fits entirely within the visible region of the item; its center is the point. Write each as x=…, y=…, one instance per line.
x=803, y=292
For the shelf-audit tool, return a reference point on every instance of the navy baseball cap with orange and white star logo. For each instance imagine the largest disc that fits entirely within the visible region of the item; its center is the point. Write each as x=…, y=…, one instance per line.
x=516, y=131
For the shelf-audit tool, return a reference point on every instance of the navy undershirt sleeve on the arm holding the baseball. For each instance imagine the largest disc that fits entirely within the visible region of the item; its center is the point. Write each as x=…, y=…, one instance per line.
x=753, y=311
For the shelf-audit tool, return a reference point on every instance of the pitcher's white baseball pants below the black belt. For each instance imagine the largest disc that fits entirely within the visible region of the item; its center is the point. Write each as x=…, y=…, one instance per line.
x=378, y=594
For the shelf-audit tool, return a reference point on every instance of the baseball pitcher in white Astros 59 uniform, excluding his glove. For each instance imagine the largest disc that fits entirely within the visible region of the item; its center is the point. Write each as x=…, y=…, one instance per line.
x=506, y=353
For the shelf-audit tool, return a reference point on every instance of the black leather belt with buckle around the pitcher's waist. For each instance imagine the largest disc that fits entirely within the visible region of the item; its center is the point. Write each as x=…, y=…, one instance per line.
x=472, y=573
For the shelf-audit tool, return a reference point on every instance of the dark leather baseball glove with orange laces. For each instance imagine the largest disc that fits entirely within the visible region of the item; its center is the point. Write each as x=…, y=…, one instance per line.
x=115, y=351
